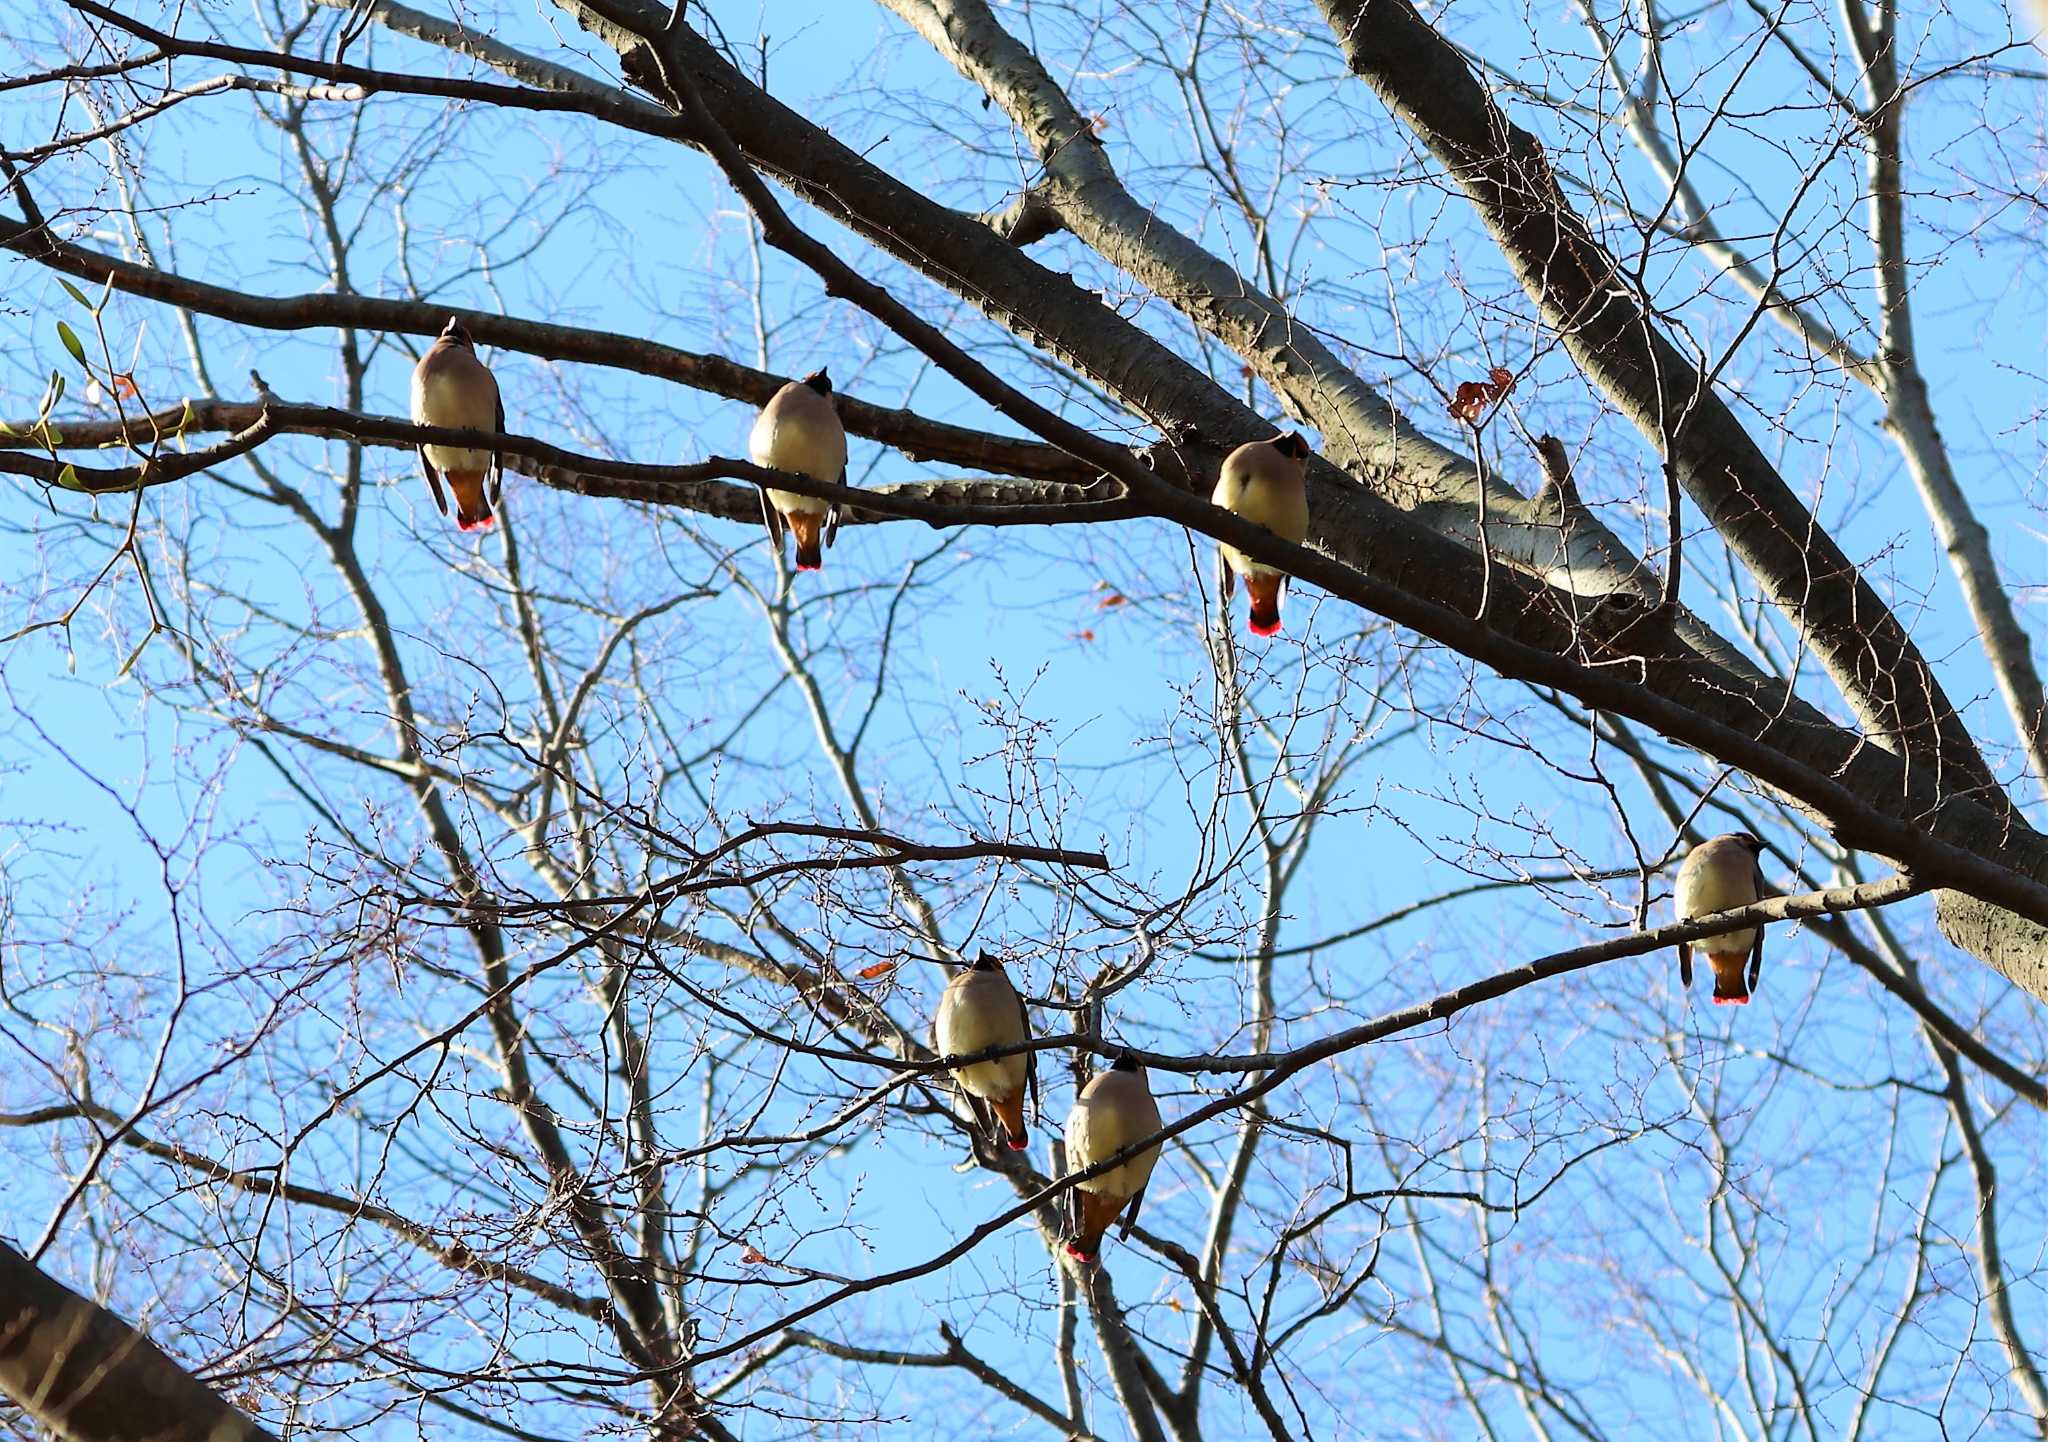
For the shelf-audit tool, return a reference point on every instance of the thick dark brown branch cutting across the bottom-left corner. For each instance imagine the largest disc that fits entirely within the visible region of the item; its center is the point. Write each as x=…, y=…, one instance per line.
x=91, y=1377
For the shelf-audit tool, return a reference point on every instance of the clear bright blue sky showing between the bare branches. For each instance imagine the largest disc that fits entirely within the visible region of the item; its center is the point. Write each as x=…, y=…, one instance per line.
x=630, y=235
